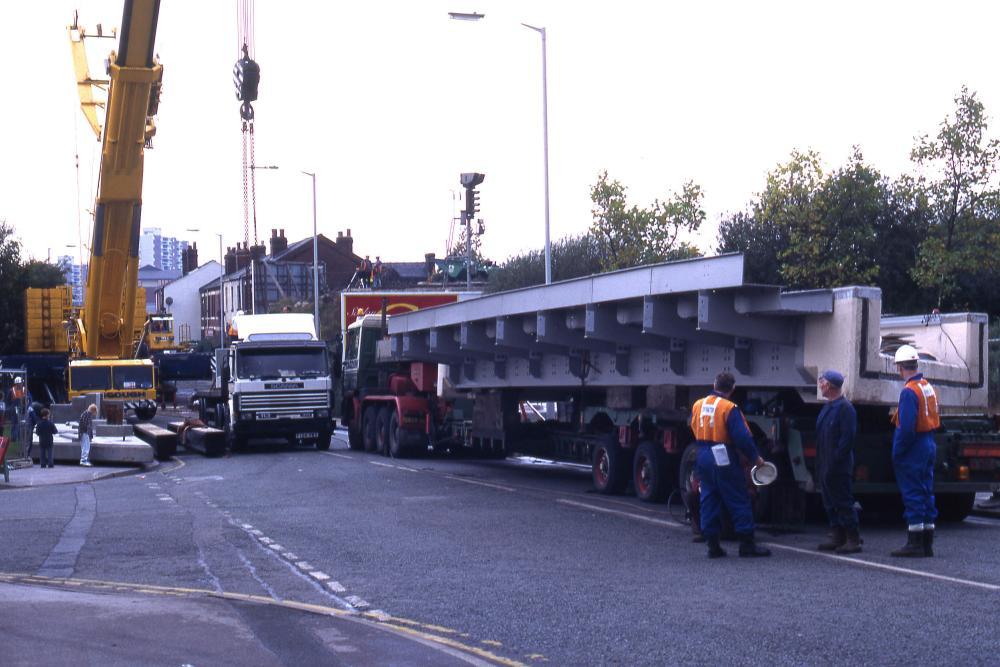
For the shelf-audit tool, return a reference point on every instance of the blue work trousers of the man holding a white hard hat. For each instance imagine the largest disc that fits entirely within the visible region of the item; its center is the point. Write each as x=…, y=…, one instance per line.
x=723, y=485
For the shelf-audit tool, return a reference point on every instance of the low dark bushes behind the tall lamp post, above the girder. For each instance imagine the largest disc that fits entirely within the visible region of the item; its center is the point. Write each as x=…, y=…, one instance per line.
x=572, y=257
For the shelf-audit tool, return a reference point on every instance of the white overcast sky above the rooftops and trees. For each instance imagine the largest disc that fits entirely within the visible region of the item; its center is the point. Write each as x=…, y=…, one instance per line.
x=388, y=102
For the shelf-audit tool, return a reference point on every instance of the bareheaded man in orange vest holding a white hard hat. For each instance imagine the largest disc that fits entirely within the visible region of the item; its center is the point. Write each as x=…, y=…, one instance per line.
x=721, y=432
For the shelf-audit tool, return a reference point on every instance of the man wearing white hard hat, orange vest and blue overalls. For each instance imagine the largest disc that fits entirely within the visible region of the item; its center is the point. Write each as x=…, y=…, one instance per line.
x=913, y=454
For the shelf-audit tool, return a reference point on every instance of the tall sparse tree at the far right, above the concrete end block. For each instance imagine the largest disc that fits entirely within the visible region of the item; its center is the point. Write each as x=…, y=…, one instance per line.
x=957, y=169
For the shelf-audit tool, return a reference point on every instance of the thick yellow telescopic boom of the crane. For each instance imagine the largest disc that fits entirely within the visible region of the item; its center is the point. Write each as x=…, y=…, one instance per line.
x=108, y=317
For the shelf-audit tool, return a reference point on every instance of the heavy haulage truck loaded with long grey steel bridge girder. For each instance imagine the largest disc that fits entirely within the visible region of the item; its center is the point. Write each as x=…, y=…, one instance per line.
x=625, y=354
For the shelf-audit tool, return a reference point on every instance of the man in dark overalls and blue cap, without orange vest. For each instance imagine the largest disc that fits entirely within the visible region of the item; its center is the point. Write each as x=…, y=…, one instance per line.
x=836, y=427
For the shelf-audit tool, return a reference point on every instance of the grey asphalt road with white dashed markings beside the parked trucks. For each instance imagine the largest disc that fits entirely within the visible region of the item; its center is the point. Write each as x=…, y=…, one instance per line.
x=506, y=562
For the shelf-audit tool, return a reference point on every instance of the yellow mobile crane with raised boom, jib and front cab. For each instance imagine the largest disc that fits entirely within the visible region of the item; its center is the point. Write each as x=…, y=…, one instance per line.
x=106, y=328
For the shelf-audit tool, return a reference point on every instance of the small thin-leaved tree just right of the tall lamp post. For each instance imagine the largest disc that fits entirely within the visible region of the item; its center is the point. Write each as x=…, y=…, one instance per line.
x=630, y=236
